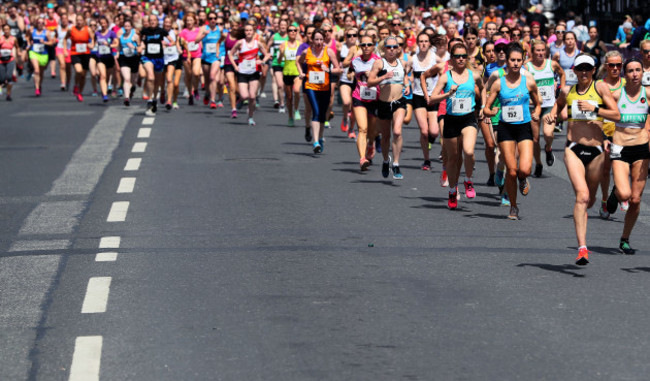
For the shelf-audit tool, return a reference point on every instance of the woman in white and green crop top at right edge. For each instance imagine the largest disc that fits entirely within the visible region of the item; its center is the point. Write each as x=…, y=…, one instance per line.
x=629, y=150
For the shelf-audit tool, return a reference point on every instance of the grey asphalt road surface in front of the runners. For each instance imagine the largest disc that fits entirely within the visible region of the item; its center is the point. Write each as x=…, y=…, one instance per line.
x=191, y=246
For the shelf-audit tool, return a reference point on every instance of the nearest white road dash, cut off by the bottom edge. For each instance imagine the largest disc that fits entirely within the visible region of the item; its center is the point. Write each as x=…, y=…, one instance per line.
x=86, y=359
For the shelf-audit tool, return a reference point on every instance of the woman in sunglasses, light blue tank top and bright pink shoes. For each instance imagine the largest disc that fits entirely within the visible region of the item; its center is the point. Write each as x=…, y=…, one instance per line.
x=460, y=86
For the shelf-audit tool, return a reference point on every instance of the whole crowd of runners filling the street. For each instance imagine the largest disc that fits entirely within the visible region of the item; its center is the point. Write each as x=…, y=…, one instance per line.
x=508, y=75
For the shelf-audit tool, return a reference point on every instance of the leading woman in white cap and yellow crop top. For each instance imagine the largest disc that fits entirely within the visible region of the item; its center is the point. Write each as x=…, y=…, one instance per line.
x=588, y=103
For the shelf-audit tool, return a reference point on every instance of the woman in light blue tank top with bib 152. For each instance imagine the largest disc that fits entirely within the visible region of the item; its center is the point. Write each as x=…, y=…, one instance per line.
x=515, y=90
